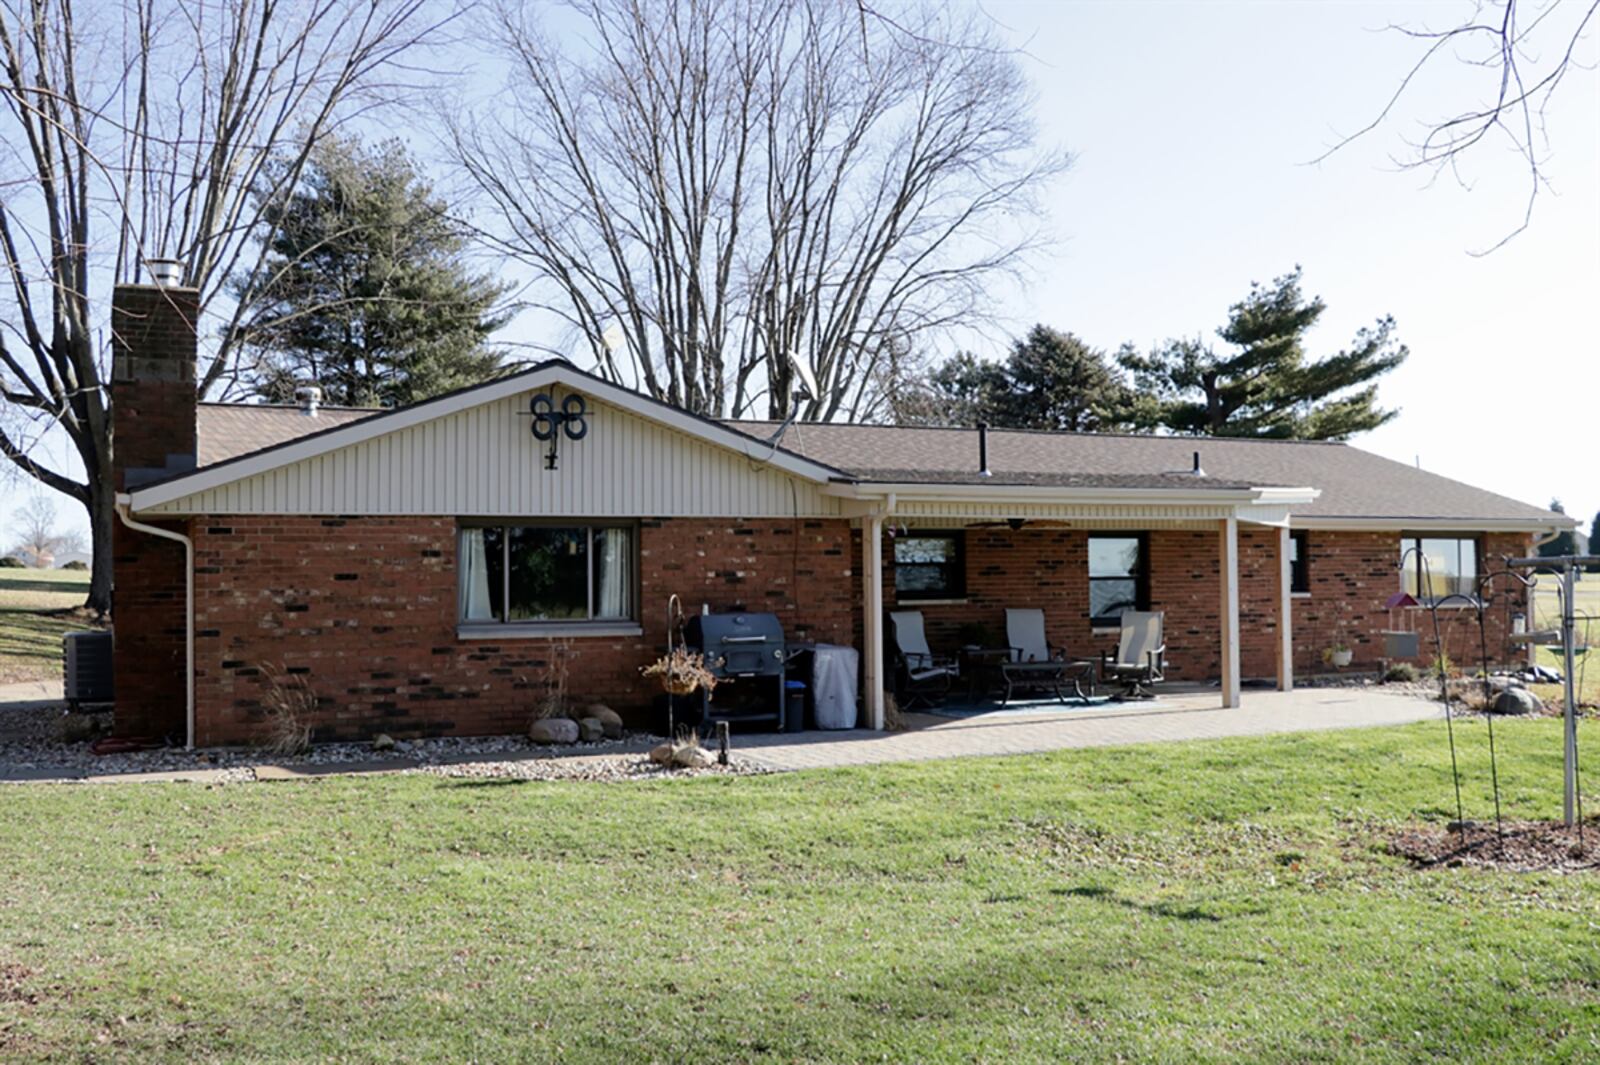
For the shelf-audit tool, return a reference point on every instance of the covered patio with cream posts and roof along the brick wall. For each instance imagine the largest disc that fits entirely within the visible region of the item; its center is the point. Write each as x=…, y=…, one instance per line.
x=1207, y=556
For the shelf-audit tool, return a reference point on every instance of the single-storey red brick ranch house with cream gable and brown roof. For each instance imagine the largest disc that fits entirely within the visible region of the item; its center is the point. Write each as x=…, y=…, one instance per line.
x=415, y=567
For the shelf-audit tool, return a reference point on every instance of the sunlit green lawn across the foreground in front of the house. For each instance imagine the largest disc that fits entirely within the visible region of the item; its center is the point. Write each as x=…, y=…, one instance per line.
x=1223, y=901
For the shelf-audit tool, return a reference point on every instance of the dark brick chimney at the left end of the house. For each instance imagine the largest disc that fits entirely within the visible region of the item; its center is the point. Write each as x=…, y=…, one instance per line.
x=153, y=386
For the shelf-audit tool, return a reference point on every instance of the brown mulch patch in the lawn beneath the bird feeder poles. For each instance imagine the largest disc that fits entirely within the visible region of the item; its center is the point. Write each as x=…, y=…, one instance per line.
x=1527, y=847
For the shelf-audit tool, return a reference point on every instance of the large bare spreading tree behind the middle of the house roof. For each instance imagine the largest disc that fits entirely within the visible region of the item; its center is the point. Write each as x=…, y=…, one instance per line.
x=705, y=188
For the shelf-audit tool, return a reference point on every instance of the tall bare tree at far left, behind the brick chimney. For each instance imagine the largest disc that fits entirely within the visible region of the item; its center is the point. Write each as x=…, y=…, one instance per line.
x=140, y=130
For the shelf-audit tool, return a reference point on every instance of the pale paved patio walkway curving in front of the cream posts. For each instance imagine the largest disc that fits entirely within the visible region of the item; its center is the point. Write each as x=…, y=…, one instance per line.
x=1169, y=719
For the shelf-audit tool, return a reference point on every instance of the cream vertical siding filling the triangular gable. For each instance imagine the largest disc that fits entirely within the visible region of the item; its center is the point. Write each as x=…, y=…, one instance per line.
x=484, y=461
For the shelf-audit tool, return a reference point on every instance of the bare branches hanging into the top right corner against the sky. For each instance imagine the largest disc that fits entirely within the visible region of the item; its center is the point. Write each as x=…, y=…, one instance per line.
x=1522, y=55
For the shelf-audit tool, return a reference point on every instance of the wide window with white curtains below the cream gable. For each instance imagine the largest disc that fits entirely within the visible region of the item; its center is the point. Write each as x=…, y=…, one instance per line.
x=532, y=575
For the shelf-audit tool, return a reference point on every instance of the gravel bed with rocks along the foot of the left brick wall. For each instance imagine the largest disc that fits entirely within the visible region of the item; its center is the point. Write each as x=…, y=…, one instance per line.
x=31, y=748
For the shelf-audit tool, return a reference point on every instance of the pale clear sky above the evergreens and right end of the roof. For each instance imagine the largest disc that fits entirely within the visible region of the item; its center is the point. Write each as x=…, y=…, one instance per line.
x=1194, y=122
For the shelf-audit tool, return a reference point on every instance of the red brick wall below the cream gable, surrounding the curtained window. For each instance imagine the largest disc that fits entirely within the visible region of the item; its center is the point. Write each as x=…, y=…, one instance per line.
x=366, y=612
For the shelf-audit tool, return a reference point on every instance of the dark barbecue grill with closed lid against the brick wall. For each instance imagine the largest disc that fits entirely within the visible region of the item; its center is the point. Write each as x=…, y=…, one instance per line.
x=748, y=656
